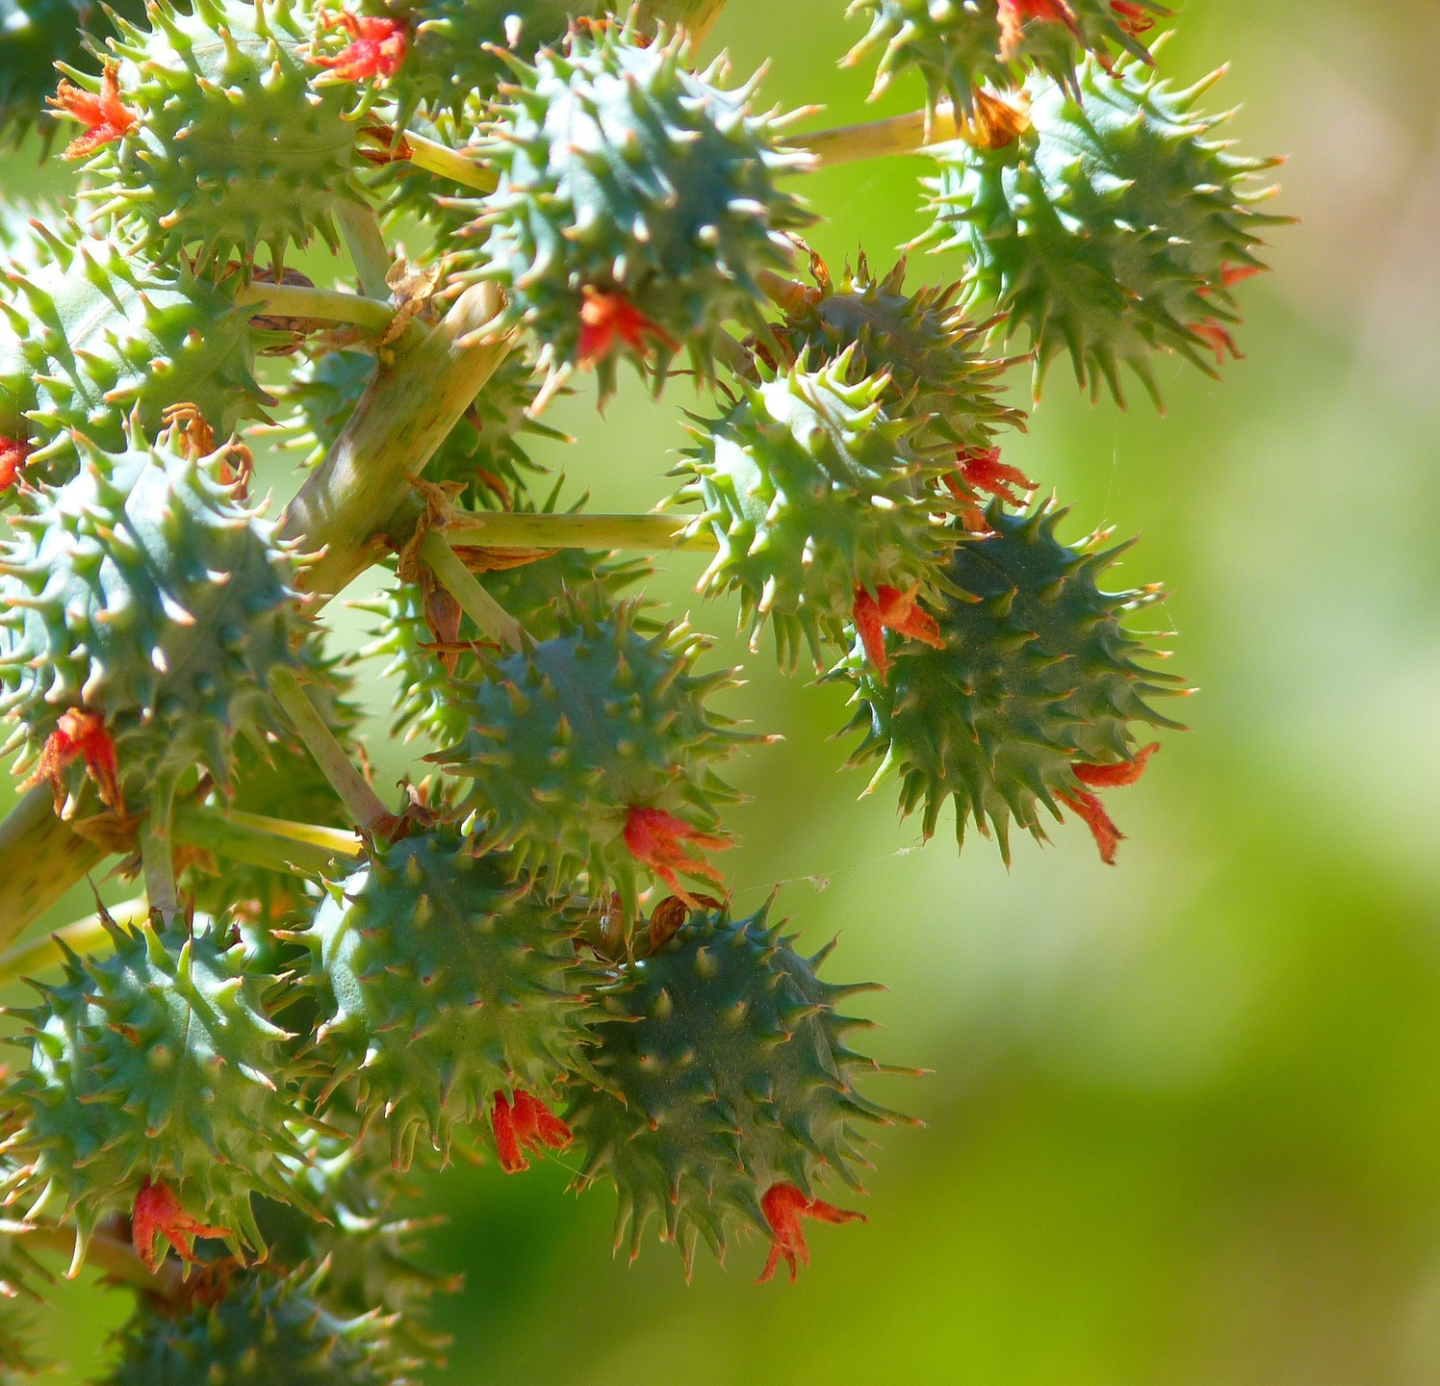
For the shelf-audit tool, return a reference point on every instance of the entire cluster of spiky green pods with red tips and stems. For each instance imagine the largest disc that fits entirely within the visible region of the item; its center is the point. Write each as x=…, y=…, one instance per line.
x=522, y=946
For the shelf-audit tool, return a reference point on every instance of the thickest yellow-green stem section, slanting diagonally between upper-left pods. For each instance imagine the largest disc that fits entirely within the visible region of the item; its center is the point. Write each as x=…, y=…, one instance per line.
x=405, y=414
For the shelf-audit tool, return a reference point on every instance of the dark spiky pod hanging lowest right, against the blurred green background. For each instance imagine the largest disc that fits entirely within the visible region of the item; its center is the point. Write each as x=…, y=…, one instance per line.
x=726, y=1073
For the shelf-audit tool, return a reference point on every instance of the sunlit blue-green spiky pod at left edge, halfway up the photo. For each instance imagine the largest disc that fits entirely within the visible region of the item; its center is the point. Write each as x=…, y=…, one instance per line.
x=148, y=594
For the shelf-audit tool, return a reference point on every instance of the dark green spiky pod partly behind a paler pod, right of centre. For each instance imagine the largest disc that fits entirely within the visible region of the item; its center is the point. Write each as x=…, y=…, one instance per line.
x=1036, y=674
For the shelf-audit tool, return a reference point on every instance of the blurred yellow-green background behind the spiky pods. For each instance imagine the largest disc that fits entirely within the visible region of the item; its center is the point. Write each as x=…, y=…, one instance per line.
x=1184, y=1119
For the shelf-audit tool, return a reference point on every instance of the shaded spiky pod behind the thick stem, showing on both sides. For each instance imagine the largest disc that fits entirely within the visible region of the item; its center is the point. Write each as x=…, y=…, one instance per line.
x=485, y=452
